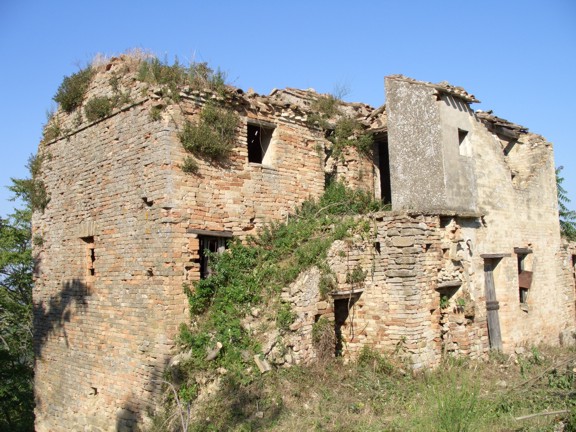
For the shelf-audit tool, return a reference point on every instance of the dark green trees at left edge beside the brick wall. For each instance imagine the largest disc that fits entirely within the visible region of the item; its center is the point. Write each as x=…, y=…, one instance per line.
x=16, y=348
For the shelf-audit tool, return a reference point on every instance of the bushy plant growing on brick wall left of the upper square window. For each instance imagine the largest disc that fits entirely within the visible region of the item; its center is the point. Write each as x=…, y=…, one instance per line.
x=212, y=136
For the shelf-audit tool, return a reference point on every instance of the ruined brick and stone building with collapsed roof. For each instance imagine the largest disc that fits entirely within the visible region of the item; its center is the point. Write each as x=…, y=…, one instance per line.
x=469, y=258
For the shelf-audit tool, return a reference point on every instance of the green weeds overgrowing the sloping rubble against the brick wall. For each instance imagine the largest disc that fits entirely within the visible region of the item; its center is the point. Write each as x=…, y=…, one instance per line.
x=251, y=274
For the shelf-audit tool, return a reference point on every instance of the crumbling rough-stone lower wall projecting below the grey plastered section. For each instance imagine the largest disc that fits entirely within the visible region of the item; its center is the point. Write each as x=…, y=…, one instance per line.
x=396, y=307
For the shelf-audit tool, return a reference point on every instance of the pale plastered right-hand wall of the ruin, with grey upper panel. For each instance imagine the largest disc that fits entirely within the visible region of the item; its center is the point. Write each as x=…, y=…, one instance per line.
x=451, y=161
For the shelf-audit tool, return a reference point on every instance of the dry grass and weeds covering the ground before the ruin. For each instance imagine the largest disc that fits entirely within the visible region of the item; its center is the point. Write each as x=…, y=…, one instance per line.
x=376, y=393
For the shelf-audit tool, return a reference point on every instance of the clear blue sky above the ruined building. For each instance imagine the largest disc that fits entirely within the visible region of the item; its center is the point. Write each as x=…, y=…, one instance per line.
x=517, y=57
